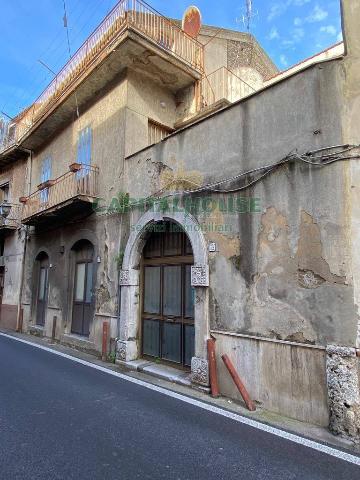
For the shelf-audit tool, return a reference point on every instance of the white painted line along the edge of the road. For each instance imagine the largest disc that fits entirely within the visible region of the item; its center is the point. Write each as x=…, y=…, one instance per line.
x=210, y=408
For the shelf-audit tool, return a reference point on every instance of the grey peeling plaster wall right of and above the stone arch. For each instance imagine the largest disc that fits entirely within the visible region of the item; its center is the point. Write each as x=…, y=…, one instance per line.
x=284, y=271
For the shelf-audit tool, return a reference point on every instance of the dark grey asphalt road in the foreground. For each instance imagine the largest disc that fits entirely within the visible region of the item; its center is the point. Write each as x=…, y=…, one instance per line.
x=63, y=420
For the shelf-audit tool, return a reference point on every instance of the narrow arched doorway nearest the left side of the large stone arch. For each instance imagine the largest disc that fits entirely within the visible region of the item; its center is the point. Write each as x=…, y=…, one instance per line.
x=83, y=299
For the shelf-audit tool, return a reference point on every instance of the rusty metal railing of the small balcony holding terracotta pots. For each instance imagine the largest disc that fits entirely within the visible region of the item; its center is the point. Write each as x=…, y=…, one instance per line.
x=83, y=182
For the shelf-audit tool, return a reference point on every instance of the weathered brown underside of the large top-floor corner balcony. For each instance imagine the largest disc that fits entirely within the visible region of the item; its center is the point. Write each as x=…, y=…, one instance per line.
x=132, y=50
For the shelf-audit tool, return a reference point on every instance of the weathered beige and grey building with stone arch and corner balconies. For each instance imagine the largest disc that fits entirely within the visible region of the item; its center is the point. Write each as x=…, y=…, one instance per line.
x=141, y=213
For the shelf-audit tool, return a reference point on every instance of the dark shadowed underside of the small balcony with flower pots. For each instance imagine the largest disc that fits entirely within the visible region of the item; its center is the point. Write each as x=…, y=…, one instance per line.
x=70, y=210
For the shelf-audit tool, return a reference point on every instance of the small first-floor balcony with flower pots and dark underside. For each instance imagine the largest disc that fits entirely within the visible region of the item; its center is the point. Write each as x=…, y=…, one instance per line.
x=68, y=197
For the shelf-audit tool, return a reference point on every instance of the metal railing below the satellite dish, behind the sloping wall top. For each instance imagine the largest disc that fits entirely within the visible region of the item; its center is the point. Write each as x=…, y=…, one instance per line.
x=221, y=84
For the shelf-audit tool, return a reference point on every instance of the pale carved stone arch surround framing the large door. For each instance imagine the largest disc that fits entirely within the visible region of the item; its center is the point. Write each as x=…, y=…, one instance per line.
x=128, y=344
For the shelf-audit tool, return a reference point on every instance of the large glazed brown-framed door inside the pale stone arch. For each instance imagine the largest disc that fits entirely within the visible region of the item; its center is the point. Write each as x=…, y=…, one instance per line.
x=168, y=331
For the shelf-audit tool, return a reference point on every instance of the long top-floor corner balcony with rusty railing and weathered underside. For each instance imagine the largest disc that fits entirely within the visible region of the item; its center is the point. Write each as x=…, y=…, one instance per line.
x=148, y=41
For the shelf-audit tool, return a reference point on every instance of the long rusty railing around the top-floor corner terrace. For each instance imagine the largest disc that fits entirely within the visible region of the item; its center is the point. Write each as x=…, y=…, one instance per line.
x=135, y=14
